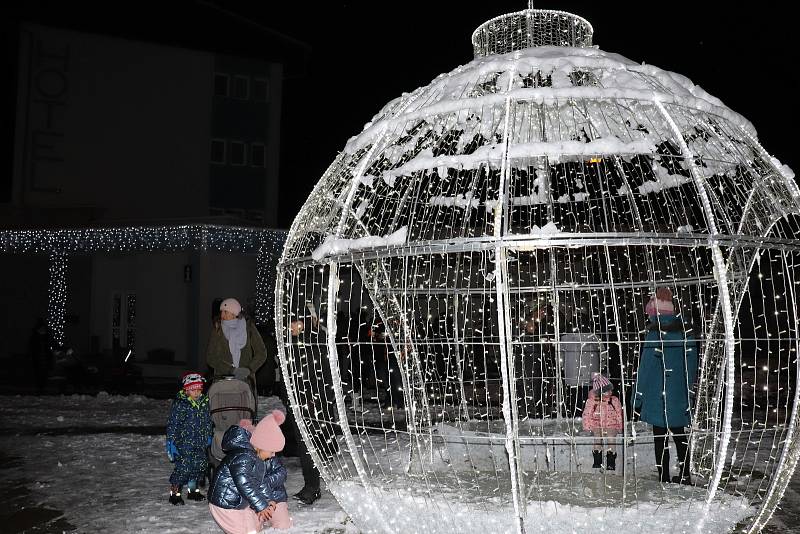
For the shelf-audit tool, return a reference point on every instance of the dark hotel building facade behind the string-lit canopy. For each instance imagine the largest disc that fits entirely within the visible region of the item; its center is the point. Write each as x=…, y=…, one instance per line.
x=114, y=132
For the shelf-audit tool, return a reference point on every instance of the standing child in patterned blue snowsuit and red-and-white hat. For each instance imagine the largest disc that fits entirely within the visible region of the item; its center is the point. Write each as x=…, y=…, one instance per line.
x=189, y=433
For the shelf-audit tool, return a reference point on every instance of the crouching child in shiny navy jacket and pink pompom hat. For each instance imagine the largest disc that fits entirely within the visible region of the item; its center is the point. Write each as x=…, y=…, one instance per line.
x=248, y=487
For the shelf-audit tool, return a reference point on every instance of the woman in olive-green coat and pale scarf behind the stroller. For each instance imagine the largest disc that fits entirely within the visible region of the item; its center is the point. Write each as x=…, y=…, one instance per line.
x=235, y=346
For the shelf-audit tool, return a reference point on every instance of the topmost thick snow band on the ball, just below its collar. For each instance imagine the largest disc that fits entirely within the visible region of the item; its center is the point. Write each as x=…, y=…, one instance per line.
x=545, y=74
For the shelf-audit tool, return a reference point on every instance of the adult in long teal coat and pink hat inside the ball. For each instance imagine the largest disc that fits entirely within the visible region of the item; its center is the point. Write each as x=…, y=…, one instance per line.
x=667, y=372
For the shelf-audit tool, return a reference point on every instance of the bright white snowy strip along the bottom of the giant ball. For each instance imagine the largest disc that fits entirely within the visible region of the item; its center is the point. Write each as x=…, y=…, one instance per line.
x=442, y=511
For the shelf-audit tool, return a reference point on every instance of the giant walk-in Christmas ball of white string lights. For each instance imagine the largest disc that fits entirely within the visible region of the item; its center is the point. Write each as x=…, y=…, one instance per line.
x=490, y=241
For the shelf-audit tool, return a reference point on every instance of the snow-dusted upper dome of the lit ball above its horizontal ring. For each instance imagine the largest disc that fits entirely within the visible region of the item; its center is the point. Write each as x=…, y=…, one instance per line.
x=553, y=136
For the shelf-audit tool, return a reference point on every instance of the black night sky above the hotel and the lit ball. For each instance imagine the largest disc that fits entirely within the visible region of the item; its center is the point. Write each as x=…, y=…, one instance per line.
x=360, y=55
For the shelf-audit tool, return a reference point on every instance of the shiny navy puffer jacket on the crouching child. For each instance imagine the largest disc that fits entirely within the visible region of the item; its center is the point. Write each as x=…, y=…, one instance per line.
x=236, y=483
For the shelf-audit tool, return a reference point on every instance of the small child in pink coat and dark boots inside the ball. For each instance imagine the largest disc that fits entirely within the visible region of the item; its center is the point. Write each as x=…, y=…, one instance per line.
x=602, y=416
